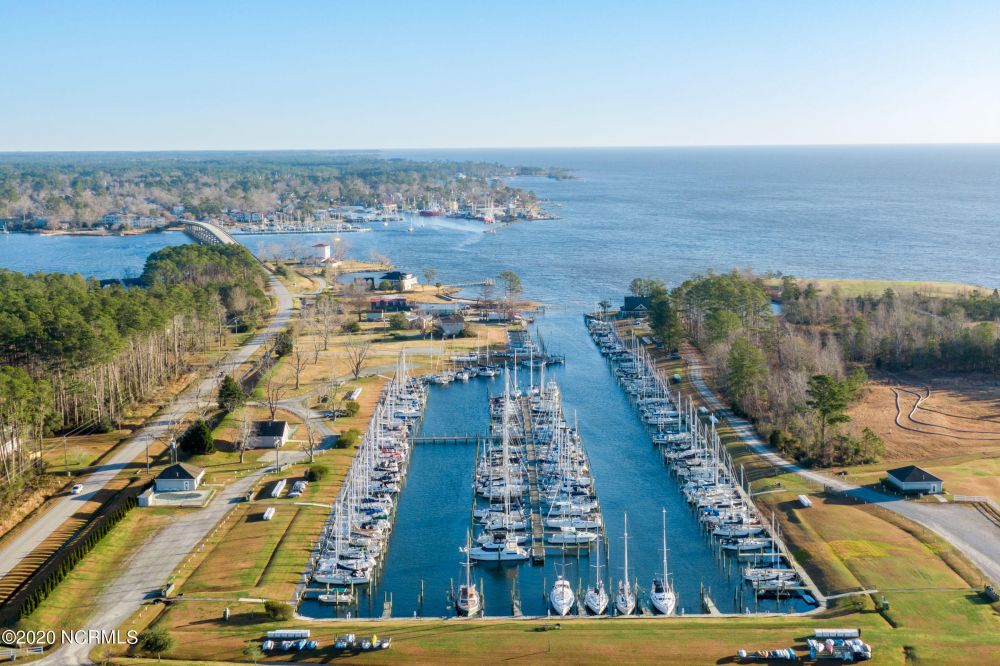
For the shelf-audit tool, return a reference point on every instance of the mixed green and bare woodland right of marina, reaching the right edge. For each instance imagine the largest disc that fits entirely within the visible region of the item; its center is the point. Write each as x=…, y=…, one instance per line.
x=795, y=374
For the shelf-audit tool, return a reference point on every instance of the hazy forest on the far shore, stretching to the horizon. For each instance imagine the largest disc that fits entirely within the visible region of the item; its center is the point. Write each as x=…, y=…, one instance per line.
x=77, y=190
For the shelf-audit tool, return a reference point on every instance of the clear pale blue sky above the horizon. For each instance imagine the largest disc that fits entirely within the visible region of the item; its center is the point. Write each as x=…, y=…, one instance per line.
x=177, y=75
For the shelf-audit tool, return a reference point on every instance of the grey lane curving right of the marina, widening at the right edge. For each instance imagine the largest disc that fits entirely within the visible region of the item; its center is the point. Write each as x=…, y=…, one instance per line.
x=962, y=526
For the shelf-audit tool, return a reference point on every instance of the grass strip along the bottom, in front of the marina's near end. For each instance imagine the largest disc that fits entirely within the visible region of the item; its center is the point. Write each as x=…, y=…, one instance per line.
x=958, y=630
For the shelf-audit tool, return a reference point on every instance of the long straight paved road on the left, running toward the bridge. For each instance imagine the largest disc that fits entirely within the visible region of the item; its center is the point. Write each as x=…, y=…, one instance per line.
x=23, y=544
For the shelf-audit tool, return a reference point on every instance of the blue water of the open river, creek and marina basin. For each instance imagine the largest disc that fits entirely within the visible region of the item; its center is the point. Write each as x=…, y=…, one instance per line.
x=922, y=213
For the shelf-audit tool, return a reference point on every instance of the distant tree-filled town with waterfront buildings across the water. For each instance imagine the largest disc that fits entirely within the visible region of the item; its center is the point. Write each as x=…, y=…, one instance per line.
x=276, y=194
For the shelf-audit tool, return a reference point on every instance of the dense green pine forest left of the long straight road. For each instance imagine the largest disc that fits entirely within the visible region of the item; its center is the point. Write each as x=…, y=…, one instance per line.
x=74, y=354
